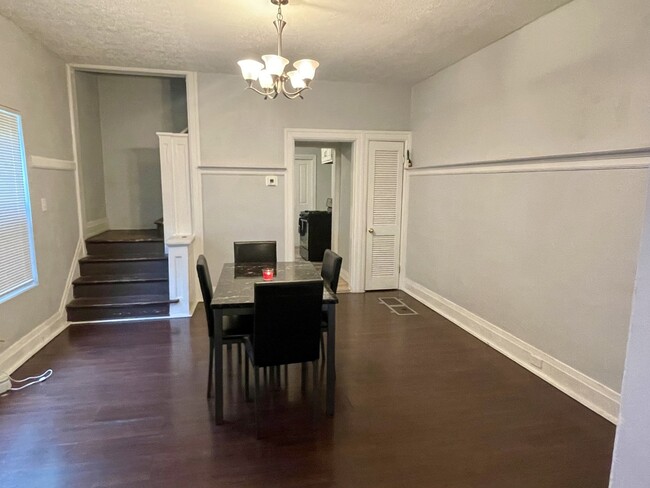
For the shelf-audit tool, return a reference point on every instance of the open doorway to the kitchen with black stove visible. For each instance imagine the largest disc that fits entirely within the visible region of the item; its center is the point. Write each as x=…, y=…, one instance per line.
x=322, y=187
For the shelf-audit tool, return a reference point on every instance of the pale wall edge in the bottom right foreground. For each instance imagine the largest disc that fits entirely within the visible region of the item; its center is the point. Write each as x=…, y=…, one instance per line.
x=630, y=467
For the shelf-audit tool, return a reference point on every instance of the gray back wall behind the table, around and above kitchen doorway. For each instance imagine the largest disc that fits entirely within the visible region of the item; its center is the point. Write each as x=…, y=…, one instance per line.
x=240, y=129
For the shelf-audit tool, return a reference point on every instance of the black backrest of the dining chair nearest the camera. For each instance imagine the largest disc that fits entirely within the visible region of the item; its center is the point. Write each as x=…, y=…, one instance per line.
x=287, y=322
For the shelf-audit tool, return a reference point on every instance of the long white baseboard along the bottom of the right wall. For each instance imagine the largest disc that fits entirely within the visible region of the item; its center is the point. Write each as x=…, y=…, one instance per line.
x=592, y=394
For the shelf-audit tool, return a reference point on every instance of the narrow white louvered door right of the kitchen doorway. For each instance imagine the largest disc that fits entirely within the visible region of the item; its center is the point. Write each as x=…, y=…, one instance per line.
x=385, y=169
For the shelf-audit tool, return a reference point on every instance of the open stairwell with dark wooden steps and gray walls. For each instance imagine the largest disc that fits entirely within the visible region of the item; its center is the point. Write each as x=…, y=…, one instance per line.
x=118, y=115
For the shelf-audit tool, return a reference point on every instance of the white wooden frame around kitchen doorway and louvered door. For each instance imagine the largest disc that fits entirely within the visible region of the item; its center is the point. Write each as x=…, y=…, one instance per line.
x=359, y=140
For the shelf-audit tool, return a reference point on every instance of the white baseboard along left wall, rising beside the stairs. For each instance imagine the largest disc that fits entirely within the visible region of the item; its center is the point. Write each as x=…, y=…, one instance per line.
x=24, y=348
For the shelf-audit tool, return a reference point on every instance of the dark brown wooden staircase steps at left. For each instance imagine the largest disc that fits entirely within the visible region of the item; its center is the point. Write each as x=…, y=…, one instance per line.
x=125, y=275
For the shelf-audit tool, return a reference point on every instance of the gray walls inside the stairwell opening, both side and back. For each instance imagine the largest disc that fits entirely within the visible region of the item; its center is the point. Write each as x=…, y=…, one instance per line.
x=117, y=118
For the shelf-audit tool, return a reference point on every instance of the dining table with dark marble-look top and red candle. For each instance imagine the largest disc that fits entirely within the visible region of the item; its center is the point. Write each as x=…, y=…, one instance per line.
x=235, y=295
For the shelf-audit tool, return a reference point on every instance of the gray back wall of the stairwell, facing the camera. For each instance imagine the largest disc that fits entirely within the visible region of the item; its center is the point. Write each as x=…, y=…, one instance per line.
x=133, y=109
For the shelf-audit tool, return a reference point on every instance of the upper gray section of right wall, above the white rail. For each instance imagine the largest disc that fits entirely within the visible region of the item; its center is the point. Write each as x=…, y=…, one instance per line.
x=573, y=81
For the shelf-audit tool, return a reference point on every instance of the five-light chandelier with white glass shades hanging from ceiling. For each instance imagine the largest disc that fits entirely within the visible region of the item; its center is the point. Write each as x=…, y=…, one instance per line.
x=270, y=76
